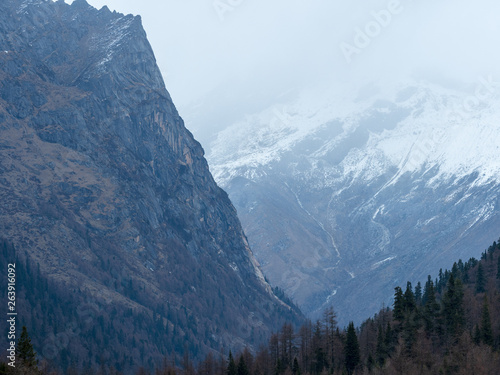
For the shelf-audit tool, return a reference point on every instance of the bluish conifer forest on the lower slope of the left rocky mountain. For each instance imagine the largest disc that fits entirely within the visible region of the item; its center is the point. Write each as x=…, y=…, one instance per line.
x=71, y=331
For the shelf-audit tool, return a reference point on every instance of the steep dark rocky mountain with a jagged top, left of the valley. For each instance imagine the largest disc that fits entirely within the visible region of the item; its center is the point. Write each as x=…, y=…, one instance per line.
x=109, y=201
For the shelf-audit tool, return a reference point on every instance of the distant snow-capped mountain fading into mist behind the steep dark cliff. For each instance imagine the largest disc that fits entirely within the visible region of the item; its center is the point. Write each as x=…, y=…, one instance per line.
x=347, y=193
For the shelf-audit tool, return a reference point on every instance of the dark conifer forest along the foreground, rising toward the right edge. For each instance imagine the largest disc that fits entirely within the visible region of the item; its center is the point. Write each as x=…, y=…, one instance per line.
x=447, y=325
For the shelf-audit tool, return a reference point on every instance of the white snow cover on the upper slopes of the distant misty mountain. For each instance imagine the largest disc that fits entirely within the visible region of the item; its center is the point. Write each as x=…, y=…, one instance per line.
x=456, y=131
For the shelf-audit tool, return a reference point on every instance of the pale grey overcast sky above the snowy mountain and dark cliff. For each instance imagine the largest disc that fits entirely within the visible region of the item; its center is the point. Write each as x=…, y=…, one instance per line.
x=222, y=59
